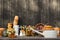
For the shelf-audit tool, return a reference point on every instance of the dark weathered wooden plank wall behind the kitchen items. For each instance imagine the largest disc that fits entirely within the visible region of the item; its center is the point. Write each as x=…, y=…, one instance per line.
x=30, y=11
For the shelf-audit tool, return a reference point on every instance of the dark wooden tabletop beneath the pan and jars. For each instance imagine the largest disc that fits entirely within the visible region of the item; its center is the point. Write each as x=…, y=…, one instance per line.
x=29, y=38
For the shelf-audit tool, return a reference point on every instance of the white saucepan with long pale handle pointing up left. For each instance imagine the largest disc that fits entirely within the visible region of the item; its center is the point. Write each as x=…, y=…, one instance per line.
x=46, y=33
